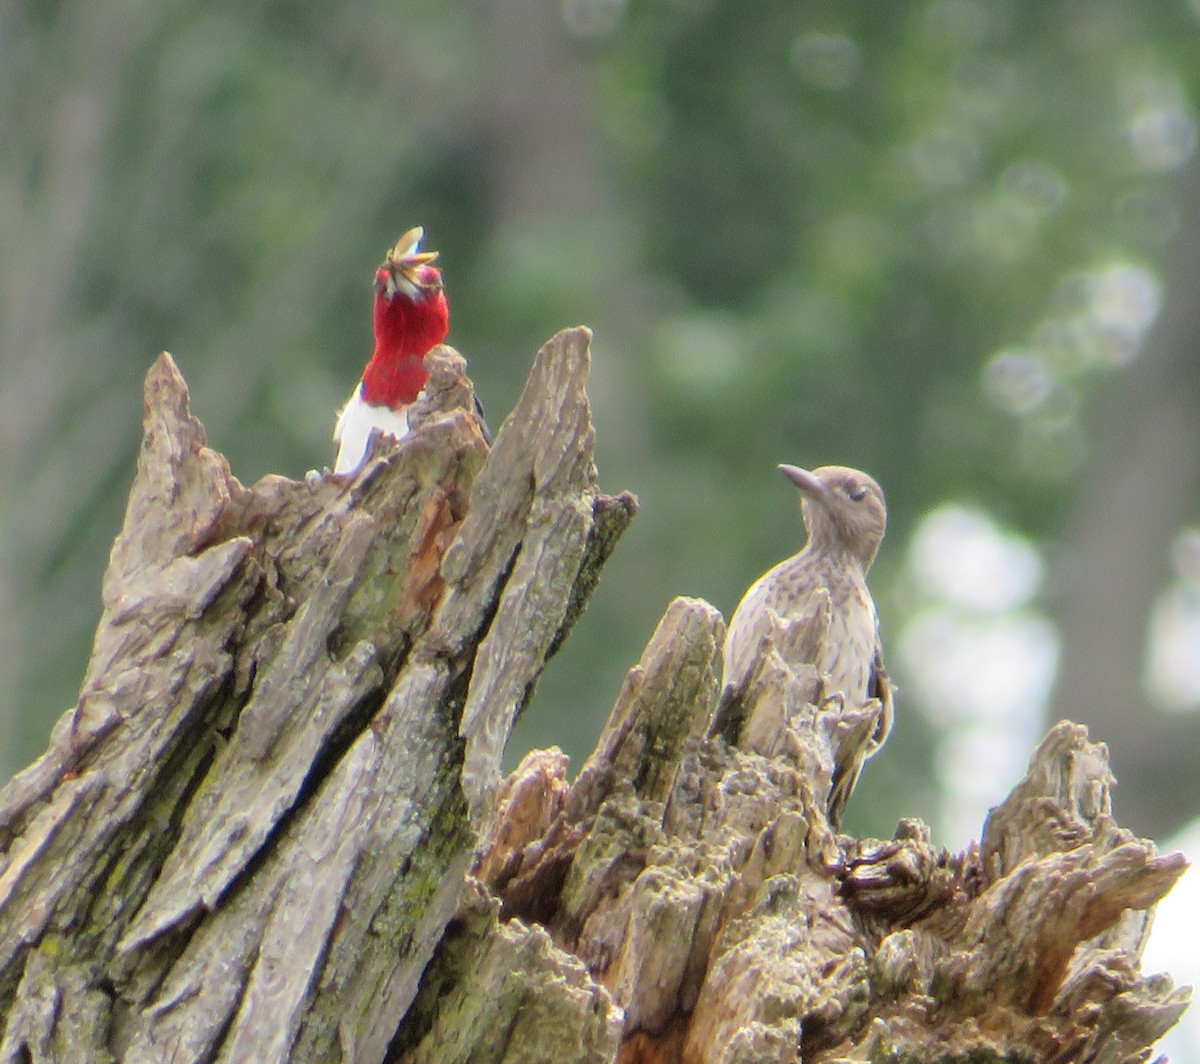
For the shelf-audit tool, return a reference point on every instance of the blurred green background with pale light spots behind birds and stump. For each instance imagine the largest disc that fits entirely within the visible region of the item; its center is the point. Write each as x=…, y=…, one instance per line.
x=955, y=243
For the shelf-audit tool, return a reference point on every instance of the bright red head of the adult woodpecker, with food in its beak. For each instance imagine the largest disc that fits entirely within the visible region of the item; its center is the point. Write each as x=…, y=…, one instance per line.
x=411, y=318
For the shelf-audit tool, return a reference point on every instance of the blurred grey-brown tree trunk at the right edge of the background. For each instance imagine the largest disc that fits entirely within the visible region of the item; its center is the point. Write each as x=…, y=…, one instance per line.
x=1137, y=497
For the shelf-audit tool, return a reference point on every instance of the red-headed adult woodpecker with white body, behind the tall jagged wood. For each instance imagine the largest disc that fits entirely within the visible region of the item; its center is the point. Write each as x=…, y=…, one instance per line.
x=411, y=318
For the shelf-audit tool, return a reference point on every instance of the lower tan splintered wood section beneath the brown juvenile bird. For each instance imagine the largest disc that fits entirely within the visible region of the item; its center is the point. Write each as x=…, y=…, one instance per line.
x=699, y=880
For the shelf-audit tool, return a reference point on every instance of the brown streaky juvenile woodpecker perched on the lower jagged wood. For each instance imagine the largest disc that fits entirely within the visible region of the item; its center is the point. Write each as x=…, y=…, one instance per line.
x=845, y=518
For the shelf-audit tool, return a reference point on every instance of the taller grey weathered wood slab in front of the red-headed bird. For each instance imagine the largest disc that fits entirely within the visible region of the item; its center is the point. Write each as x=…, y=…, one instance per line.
x=248, y=838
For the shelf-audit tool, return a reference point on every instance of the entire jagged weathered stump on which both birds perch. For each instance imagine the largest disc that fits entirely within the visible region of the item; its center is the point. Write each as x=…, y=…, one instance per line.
x=256, y=838
